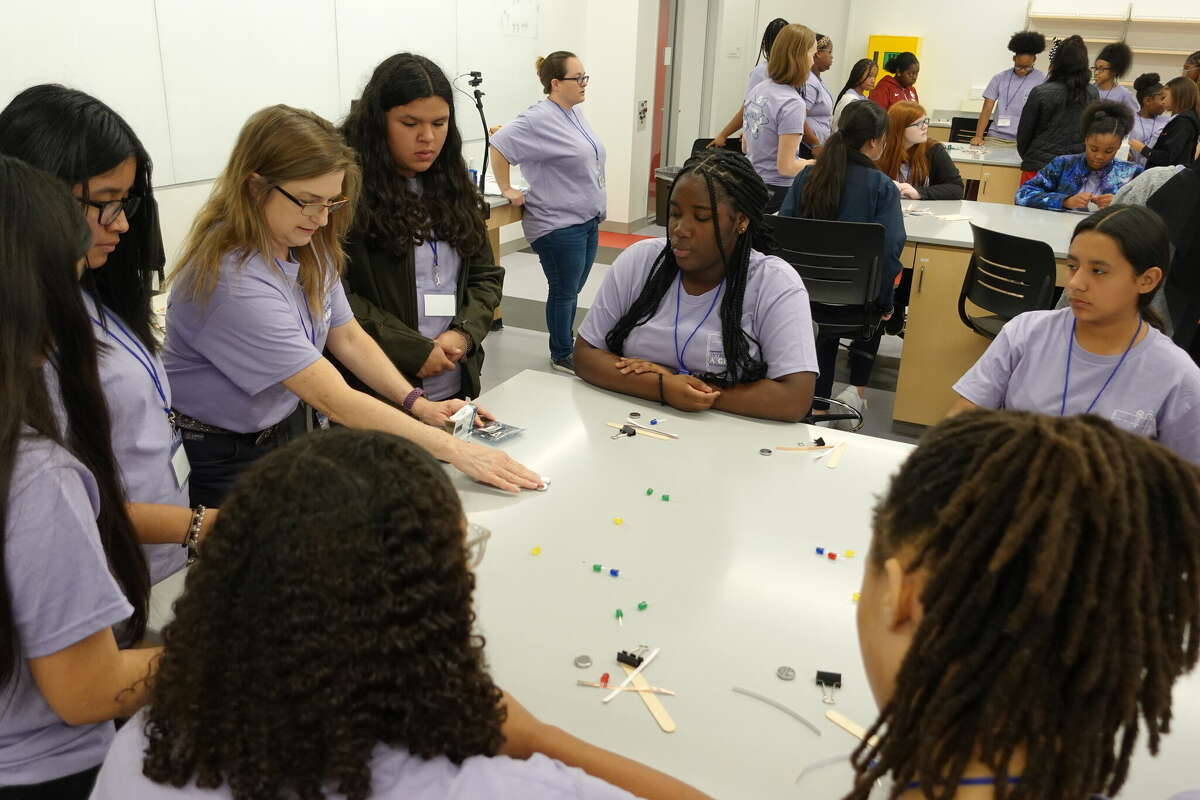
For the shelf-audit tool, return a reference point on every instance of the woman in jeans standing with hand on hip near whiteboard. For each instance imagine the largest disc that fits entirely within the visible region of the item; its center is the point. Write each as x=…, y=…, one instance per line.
x=563, y=159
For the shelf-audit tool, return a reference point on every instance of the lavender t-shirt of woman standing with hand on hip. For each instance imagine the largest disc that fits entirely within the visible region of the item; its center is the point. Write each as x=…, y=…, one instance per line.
x=563, y=160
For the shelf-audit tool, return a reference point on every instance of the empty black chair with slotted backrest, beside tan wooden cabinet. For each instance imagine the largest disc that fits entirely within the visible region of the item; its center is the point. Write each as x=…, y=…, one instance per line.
x=1007, y=276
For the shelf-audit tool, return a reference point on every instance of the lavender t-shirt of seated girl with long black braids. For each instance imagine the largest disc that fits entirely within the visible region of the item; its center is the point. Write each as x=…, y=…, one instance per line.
x=776, y=312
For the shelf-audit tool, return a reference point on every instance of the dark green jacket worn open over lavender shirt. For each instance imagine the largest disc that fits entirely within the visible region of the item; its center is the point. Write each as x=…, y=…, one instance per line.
x=382, y=291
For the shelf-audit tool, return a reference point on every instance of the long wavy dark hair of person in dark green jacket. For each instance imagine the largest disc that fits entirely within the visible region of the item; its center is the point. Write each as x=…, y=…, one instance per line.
x=391, y=214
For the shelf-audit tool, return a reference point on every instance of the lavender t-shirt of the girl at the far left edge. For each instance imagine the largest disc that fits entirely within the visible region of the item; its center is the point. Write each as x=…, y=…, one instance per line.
x=62, y=593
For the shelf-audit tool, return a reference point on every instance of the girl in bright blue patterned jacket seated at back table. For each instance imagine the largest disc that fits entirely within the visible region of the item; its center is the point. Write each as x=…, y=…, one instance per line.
x=1073, y=183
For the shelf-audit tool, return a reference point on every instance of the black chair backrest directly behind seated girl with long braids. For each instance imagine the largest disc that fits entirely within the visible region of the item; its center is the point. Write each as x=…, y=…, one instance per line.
x=841, y=264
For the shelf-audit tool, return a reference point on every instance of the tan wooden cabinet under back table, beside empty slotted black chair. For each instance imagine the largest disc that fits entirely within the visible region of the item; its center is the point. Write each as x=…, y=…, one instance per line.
x=938, y=347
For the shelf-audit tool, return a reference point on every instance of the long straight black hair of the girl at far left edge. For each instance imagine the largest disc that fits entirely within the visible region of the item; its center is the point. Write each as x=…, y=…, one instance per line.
x=43, y=316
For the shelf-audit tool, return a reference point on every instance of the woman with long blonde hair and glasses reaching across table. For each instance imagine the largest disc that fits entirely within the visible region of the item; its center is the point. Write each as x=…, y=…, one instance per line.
x=259, y=298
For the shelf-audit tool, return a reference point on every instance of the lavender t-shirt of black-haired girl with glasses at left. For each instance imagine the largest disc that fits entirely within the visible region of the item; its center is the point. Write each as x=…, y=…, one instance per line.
x=143, y=438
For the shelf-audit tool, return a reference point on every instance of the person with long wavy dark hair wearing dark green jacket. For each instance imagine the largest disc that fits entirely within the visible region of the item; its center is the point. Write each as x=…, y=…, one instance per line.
x=419, y=270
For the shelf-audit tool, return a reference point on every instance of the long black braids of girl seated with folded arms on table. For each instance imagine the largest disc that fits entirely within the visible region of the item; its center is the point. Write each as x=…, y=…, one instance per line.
x=731, y=181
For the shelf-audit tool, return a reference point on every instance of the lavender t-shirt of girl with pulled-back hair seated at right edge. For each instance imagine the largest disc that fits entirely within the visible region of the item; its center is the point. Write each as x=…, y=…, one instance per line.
x=1155, y=394
